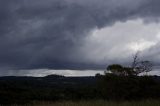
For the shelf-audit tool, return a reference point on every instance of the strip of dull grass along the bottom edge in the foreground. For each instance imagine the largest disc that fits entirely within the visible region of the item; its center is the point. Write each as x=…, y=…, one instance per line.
x=96, y=103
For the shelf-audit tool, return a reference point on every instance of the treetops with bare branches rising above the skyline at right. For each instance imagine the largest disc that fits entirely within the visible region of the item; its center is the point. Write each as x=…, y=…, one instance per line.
x=135, y=69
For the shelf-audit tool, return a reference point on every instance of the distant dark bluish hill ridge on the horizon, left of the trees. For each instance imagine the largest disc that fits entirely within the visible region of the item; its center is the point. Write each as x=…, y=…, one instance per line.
x=48, y=81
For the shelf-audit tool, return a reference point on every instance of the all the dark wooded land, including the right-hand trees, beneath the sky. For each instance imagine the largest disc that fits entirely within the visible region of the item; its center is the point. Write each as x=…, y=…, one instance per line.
x=121, y=84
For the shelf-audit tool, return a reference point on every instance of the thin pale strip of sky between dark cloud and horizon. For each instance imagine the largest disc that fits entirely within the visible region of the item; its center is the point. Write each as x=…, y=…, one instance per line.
x=67, y=73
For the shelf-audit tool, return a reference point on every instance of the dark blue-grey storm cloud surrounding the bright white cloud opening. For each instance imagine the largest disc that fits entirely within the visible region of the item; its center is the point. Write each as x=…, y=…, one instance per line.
x=48, y=34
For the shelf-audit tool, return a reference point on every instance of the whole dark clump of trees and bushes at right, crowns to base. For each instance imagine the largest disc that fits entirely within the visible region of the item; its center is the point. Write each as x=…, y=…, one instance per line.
x=123, y=83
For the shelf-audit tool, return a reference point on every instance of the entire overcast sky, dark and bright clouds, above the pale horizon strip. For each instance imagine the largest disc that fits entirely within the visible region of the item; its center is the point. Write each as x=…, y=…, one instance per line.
x=77, y=34
